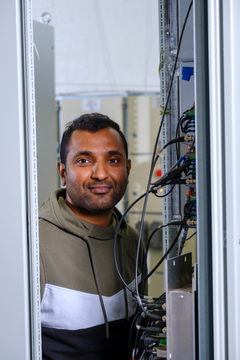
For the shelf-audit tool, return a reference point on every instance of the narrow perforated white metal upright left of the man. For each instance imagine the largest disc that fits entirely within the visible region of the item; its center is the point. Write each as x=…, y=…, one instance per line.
x=32, y=183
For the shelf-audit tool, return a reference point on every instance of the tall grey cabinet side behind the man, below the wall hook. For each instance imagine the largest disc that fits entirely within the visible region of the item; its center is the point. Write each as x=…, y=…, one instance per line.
x=46, y=118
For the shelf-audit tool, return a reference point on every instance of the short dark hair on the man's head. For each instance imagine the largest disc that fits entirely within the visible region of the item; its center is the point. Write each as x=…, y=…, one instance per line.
x=92, y=122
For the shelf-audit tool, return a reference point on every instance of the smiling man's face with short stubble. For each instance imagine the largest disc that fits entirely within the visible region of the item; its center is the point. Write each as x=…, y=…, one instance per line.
x=96, y=173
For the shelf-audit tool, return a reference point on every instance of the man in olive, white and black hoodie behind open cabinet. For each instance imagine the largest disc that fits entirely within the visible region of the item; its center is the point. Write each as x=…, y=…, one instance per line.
x=85, y=310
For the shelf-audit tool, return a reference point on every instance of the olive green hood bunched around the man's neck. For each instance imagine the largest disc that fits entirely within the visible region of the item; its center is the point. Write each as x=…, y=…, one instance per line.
x=56, y=211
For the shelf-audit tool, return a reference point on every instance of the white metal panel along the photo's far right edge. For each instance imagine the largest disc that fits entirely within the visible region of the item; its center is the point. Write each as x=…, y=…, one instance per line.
x=231, y=25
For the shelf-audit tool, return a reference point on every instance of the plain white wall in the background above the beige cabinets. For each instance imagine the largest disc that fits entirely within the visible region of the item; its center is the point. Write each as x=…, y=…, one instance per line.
x=105, y=45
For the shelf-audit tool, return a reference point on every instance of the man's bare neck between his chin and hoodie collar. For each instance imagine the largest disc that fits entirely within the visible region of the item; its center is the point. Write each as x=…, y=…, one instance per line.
x=99, y=219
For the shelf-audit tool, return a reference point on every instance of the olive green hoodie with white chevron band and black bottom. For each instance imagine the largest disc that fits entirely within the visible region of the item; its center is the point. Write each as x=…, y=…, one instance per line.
x=80, y=289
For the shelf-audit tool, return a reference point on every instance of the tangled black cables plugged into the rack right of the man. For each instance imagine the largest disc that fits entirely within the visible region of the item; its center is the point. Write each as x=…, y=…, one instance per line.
x=149, y=325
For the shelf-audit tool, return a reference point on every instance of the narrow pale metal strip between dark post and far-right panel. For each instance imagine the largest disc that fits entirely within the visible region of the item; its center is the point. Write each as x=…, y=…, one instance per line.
x=217, y=174
